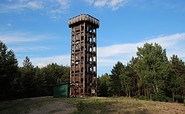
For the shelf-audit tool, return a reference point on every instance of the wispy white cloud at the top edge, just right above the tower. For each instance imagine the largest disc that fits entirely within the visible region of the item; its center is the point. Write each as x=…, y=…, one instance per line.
x=113, y=4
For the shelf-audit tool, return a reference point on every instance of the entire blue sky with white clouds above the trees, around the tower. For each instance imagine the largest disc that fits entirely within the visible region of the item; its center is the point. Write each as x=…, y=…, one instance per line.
x=39, y=28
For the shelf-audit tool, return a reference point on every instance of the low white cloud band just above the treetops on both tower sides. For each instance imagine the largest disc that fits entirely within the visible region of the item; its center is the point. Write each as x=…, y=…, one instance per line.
x=109, y=55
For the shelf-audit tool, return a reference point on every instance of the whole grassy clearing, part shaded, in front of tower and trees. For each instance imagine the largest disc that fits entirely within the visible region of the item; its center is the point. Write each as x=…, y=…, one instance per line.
x=94, y=105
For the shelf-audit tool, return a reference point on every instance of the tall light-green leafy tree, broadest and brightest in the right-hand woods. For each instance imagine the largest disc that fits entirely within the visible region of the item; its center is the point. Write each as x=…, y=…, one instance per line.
x=152, y=68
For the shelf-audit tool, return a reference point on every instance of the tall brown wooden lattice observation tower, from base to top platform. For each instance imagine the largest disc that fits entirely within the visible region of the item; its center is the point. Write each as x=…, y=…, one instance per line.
x=83, y=71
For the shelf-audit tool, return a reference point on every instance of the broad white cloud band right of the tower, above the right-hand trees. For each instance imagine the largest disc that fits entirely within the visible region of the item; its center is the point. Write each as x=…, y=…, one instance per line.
x=109, y=55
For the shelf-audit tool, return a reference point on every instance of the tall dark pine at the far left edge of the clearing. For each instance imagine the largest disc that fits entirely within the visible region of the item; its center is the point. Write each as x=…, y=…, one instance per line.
x=8, y=71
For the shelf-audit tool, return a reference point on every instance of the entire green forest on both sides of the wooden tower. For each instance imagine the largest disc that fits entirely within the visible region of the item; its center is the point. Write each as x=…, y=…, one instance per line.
x=149, y=75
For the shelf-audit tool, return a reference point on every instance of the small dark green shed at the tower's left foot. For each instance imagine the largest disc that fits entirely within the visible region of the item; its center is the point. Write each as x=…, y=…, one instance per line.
x=61, y=90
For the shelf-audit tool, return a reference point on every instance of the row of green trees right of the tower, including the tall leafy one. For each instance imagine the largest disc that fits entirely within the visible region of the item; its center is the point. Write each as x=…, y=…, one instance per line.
x=149, y=75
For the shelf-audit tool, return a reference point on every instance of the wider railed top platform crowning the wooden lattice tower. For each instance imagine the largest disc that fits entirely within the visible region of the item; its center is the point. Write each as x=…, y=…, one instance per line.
x=83, y=18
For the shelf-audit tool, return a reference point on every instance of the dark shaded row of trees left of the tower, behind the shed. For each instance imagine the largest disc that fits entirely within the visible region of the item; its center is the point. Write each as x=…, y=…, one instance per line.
x=27, y=81
